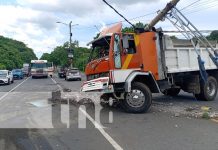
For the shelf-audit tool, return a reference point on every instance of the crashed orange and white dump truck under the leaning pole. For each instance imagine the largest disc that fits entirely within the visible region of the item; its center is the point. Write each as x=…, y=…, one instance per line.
x=129, y=67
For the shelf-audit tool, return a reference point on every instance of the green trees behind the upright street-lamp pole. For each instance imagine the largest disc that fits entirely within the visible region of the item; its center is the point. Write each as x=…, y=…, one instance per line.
x=59, y=56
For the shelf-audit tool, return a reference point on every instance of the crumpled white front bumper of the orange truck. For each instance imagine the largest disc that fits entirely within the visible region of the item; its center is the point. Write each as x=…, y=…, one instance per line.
x=98, y=85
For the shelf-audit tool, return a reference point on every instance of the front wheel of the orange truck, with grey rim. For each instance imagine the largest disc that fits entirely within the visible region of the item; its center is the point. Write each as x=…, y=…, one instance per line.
x=138, y=100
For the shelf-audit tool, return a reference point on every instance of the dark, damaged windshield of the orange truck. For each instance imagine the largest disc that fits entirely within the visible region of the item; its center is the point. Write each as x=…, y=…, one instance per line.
x=100, y=49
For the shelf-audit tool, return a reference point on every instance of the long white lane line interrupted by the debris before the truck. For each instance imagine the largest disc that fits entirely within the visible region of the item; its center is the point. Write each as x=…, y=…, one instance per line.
x=98, y=126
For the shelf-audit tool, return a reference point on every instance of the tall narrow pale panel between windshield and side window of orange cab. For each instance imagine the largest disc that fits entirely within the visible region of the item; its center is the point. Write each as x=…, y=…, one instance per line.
x=117, y=51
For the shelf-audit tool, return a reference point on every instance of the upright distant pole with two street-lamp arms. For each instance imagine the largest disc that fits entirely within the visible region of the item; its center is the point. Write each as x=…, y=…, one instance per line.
x=70, y=50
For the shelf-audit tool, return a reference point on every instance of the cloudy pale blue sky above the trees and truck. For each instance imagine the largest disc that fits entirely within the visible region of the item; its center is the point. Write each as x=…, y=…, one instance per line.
x=34, y=22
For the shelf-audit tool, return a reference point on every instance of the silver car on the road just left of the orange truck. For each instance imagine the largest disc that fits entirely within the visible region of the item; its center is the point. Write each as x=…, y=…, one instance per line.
x=73, y=74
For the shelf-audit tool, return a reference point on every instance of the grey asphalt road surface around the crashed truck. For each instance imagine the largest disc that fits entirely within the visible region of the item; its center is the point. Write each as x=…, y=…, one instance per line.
x=28, y=122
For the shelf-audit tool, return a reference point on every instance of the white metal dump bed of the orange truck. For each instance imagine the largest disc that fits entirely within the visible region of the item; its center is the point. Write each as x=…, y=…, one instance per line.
x=180, y=56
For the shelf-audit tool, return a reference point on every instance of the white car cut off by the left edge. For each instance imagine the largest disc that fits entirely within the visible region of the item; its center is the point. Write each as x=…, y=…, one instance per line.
x=6, y=77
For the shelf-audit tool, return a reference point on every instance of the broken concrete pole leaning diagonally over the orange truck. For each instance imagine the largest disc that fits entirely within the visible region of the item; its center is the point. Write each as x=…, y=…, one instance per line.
x=161, y=14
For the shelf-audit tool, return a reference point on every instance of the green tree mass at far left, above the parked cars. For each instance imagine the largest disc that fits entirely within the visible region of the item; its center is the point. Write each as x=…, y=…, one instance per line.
x=14, y=53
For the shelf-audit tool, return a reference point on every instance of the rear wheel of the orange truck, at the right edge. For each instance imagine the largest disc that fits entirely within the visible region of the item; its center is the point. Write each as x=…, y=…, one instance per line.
x=208, y=90
